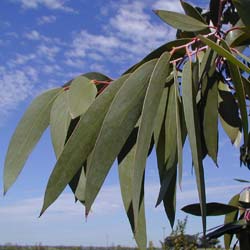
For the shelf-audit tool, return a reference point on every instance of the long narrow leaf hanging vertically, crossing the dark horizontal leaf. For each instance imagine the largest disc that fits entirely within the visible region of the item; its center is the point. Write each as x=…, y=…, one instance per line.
x=192, y=123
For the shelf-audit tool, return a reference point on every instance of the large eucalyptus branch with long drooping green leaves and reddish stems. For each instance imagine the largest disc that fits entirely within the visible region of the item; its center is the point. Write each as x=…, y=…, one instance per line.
x=182, y=89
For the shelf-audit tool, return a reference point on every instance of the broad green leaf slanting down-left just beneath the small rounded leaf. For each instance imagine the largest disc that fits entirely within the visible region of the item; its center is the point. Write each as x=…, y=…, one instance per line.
x=80, y=143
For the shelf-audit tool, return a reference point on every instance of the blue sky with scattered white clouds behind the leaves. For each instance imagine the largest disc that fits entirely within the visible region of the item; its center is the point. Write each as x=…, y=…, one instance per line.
x=45, y=43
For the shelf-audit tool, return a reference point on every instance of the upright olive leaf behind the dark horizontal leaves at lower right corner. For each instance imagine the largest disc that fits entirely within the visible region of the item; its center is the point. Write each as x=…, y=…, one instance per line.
x=231, y=217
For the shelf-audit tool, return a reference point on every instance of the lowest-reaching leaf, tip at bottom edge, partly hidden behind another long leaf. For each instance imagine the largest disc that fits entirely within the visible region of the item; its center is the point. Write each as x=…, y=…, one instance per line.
x=126, y=172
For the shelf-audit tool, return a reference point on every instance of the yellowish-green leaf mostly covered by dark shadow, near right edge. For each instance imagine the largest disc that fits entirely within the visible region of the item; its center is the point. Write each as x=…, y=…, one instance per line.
x=229, y=115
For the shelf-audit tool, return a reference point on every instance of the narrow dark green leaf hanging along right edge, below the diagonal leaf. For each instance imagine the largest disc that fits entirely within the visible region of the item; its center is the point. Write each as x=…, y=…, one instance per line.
x=240, y=95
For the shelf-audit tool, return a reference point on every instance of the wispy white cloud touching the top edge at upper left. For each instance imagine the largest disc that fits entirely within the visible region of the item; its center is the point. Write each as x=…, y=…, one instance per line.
x=50, y=4
